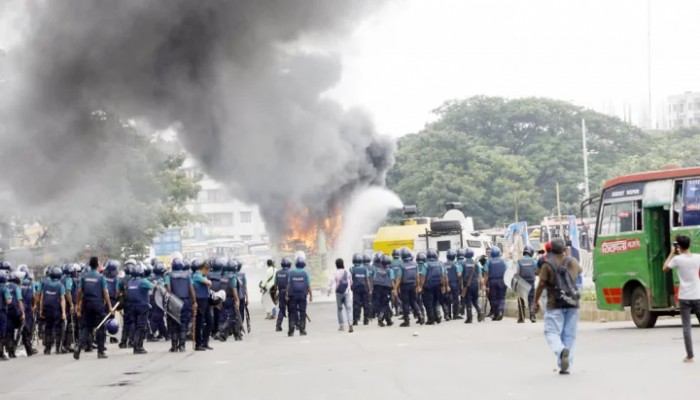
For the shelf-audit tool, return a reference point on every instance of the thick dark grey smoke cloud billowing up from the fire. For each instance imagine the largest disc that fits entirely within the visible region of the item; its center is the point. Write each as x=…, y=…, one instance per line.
x=227, y=75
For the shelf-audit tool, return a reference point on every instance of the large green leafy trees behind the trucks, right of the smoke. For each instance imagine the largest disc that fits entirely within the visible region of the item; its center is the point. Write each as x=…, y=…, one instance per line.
x=492, y=154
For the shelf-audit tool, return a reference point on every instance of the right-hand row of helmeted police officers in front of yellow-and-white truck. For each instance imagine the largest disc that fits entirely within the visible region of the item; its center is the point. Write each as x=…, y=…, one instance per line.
x=431, y=290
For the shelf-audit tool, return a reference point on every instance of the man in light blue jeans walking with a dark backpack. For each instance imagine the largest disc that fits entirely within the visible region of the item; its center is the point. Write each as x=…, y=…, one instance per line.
x=558, y=277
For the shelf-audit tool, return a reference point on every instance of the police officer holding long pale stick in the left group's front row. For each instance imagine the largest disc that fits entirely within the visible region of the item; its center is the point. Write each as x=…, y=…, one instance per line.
x=92, y=301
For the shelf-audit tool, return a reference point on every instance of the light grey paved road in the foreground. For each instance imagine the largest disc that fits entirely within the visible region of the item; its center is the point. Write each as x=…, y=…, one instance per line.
x=502, y=360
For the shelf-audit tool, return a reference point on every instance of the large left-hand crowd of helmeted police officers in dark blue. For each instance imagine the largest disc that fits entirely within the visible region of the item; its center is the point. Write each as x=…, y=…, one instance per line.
x=73, y=306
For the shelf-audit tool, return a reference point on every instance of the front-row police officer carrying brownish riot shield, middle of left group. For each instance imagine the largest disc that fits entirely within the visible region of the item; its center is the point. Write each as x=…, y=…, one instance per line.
x=179, y=284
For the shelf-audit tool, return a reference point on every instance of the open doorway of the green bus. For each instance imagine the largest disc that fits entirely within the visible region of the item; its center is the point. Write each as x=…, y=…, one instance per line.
x=657, y=226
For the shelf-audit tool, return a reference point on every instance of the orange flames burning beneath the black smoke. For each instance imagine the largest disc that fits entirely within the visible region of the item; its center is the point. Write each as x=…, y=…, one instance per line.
x=304, y=230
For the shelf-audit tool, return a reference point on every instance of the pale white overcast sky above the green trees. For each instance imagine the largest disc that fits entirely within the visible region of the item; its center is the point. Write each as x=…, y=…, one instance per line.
x=409, y=57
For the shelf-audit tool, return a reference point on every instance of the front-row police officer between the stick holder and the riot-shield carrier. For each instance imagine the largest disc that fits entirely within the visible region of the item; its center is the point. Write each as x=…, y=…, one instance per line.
x=137, y=293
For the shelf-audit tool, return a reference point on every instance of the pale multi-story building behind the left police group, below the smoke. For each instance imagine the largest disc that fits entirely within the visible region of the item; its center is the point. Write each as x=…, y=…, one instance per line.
x=226, y=218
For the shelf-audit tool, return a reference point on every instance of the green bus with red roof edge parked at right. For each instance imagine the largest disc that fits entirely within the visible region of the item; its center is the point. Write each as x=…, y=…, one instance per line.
x=637, y=218
